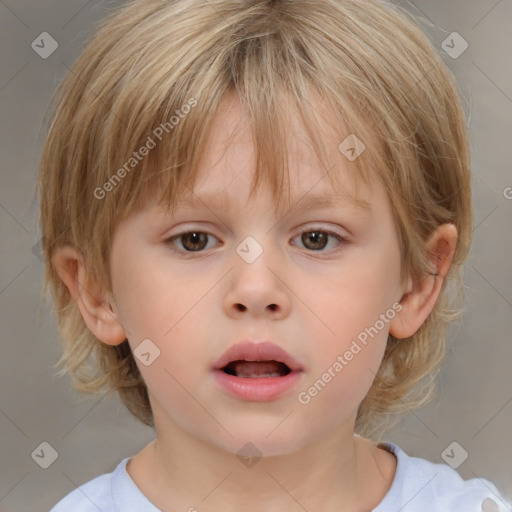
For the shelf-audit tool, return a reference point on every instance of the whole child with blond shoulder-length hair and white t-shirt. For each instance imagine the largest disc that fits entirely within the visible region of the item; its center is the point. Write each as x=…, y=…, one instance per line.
x=251, y=211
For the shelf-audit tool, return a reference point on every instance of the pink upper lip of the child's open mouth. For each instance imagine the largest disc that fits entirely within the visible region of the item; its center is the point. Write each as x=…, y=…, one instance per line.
x=257, y=351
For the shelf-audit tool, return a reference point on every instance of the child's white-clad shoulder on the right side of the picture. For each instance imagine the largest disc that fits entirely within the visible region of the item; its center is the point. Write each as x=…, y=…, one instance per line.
x=420, y=485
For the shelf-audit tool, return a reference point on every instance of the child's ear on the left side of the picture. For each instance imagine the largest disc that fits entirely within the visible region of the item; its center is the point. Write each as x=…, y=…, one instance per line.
x=94, y=305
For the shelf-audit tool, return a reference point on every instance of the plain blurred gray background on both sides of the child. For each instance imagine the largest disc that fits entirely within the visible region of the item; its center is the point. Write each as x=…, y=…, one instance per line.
x=474, y=406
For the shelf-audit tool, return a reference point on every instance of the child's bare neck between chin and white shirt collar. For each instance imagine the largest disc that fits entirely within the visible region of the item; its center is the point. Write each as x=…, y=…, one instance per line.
x=338, y=472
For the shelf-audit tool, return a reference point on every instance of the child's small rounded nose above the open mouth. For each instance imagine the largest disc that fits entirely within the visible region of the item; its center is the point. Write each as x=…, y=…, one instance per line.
x=258, y=289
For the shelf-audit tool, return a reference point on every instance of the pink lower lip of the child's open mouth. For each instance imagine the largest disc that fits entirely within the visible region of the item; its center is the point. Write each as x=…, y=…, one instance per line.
x=257, y=389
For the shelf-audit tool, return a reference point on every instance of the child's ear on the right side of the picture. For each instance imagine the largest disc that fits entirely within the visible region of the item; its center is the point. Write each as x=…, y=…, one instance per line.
x=420, y=298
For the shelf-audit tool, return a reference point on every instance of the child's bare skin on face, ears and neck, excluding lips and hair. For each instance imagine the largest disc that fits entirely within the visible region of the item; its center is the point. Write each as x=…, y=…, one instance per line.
x=187, y=304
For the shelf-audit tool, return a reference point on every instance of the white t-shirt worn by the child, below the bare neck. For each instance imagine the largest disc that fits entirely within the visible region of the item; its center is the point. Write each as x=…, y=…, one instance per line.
x=418, y=486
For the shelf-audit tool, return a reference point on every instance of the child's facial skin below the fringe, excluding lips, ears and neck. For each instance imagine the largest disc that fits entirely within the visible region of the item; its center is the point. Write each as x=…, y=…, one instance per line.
x=310, y=298
